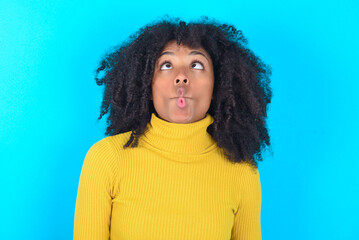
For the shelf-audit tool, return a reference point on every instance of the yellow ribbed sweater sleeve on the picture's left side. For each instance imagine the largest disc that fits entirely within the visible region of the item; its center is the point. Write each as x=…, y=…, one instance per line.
x=95, y=193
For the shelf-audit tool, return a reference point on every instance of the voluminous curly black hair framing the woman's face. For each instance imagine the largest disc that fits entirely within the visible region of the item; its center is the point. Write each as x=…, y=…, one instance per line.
x=241, y=85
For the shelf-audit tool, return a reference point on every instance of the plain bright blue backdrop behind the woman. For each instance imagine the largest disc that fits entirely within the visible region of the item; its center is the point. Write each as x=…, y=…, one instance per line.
x=50, y=102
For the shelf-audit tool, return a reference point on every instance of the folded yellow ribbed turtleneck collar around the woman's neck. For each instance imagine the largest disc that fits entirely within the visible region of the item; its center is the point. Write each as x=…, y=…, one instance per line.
x=188, y=138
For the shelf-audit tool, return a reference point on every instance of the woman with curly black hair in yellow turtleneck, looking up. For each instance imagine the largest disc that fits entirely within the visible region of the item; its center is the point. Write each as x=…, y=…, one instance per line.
x=186, y=107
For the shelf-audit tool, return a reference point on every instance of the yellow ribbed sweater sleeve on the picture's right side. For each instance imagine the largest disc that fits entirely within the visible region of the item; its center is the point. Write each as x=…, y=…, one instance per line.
x=247, y=218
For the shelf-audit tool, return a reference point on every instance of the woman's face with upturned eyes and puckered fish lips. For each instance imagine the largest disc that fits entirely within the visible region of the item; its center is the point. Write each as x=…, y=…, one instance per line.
x=182, y=83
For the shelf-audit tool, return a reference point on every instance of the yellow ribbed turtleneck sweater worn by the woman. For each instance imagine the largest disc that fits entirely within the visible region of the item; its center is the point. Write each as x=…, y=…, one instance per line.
x=177, y=184
